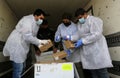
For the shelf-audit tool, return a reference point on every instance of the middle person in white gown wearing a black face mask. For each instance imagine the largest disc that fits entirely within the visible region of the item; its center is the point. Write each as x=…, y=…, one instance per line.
x=65, y=28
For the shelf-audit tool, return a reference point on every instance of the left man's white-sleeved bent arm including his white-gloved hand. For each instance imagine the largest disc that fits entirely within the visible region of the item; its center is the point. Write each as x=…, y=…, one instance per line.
x=27, y=33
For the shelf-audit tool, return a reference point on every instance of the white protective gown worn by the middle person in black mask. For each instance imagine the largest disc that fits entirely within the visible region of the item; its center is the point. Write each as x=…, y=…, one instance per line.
x=62, y=31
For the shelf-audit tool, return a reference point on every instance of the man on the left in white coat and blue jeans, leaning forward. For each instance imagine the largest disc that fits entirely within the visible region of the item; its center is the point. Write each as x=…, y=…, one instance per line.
x=24, y=34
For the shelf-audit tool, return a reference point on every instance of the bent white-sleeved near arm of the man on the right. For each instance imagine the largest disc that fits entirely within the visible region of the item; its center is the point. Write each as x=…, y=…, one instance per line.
x=95, y=31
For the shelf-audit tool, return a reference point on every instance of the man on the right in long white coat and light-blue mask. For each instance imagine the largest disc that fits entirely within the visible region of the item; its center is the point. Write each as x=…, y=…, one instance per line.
x=94, y=55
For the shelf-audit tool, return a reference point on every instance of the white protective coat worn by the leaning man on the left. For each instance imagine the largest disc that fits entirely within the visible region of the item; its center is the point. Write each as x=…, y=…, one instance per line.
x=17, y=45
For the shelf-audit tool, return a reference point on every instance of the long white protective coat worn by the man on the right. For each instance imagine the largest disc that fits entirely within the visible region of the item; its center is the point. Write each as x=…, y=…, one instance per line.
x=95, y=54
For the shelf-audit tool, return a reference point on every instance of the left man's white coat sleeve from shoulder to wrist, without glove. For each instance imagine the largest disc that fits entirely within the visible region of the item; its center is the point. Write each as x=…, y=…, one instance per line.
x=25, y=28
